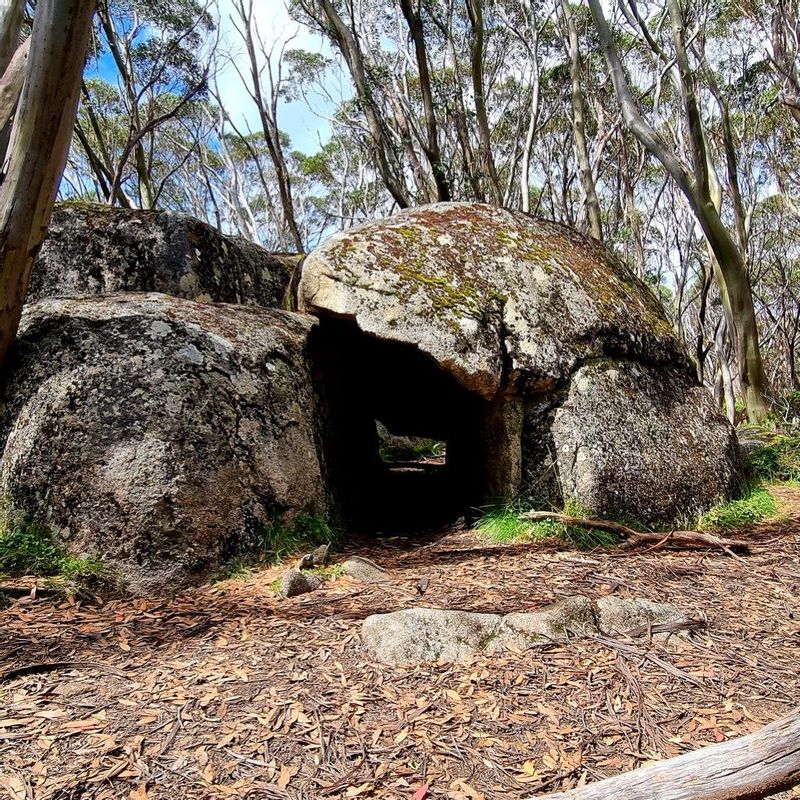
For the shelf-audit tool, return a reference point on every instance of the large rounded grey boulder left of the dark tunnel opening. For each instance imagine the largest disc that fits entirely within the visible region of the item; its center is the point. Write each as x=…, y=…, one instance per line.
x=158, y=433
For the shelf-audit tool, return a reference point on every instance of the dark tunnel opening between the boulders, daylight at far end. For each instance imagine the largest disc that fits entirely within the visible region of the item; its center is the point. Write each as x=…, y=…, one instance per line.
x=409, y=448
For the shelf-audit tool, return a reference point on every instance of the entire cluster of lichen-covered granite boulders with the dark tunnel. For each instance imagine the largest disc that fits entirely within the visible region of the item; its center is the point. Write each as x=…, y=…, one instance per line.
x=162, y=432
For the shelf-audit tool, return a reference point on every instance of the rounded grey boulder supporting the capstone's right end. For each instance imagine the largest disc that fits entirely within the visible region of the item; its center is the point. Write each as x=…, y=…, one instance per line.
x=630, y=437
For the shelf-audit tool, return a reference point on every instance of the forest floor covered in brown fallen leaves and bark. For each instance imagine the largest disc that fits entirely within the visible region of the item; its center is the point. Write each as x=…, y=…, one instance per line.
x=230, y=692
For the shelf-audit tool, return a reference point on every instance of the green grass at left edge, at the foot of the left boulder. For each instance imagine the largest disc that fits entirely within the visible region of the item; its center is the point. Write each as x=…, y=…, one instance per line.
x=29, y=548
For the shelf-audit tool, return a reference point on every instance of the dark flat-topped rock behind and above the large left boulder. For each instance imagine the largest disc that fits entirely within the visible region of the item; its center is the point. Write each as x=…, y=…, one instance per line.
x=93, y=250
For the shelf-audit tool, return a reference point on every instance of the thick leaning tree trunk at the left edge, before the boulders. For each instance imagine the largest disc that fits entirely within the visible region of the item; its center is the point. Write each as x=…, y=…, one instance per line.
x=39, y=145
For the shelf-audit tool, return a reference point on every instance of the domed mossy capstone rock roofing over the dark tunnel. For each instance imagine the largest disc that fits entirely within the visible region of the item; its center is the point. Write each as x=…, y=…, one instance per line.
x=492, y=295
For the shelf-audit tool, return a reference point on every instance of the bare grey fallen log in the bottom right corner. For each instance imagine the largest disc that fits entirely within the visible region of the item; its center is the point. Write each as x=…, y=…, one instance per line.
x=748, y=768
